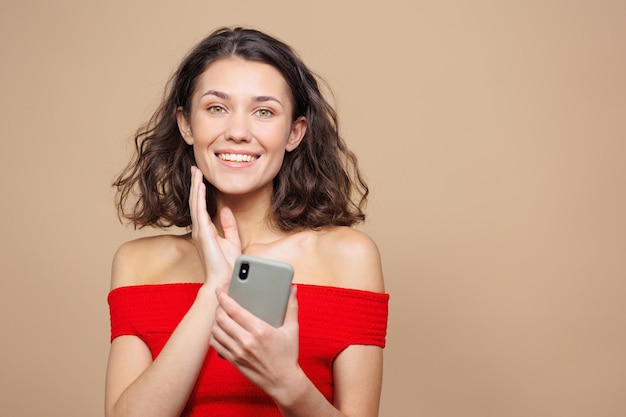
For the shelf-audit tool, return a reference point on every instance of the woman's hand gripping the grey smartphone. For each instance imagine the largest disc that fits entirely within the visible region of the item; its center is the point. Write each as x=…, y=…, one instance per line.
x=266, y=355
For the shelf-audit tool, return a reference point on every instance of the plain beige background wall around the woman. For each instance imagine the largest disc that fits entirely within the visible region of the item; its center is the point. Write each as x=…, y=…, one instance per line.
x=493, y=137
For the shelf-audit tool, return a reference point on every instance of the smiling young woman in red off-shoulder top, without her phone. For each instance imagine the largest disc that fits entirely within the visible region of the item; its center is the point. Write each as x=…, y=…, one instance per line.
x=245, y=151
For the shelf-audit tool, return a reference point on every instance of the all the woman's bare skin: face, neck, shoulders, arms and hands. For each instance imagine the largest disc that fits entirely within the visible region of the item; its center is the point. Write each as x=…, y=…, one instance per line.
x=241, y=107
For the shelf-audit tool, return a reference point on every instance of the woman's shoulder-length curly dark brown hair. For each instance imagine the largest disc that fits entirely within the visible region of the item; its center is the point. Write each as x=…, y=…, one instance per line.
x=319, y=183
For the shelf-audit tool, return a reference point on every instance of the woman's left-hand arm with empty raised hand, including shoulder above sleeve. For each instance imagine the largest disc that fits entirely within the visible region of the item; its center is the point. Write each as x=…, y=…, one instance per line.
x=138, y=386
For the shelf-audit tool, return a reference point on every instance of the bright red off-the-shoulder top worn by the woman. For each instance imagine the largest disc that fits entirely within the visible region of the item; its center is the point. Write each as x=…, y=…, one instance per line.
x=330, y=320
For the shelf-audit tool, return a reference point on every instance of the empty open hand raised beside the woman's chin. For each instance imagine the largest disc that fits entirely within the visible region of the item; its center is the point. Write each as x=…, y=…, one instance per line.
x=218, y=253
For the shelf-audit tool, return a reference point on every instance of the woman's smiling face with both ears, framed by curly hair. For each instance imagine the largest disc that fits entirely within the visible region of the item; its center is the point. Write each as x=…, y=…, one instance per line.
x=240, y=125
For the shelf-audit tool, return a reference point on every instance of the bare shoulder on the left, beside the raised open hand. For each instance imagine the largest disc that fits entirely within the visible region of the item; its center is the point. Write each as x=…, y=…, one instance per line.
x=155, y=260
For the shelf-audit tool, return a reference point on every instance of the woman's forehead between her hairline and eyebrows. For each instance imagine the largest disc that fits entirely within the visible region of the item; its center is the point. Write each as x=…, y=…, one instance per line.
x=240, y=77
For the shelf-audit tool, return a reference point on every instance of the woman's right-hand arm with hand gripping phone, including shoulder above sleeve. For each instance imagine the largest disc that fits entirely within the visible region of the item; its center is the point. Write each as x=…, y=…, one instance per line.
x=269, y=356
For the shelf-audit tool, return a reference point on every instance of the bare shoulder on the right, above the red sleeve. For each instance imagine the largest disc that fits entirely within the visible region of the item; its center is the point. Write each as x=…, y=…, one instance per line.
x=354, y=258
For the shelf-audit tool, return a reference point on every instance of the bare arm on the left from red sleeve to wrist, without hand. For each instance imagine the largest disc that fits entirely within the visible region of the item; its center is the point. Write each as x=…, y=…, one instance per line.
x=137, y=386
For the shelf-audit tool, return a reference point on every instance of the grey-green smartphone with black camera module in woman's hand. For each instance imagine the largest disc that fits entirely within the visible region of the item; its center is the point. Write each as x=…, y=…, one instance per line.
x=262, y=286
